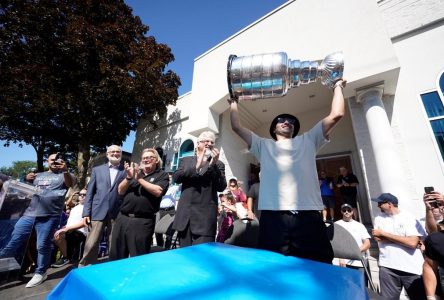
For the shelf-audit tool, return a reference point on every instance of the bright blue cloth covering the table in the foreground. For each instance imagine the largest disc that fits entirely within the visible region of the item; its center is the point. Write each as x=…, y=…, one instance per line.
x=211, y=271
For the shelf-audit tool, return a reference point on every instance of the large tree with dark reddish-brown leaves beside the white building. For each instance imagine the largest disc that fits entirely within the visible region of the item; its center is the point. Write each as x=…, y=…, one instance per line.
x=78, y=75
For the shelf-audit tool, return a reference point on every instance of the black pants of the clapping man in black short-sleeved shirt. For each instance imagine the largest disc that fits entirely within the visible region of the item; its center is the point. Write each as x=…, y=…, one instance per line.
x=131, y=236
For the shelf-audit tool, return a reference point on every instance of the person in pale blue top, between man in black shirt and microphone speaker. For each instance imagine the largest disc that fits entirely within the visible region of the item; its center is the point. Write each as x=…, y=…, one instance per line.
x=168, y=207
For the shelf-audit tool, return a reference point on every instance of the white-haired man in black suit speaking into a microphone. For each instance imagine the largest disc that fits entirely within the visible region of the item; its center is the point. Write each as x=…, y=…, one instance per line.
x=201, y=176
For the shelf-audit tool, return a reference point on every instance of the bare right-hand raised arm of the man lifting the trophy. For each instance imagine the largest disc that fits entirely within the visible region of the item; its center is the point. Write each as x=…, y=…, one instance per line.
x=337, y=108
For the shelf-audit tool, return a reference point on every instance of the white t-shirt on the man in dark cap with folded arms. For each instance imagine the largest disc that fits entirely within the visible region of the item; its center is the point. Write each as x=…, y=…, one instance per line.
x=396, y=256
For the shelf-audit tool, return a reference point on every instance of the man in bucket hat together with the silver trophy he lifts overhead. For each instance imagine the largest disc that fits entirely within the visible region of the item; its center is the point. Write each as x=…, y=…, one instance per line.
x=290, y=200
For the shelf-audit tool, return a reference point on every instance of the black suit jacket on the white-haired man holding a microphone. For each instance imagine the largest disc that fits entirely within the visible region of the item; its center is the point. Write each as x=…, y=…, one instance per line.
x=198, y=201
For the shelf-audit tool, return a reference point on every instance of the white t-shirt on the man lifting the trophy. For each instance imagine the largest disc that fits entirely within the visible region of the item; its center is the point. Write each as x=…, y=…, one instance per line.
x=289, y=180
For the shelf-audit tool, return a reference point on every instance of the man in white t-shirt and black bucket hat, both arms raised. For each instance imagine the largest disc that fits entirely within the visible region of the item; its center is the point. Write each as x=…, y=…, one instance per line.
x=290, y=199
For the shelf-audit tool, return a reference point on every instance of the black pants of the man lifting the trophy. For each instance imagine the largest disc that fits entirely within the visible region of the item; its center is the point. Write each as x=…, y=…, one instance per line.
x=302, y=234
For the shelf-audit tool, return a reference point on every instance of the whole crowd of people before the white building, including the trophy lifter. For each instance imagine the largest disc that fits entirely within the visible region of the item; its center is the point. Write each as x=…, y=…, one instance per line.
x=123, y=201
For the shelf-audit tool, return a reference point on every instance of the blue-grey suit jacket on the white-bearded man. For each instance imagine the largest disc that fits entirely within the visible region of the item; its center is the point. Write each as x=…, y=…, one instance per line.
x=102, y=199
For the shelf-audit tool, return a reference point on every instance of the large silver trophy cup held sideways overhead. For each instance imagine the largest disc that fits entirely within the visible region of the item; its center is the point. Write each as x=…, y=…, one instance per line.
x=272, y=75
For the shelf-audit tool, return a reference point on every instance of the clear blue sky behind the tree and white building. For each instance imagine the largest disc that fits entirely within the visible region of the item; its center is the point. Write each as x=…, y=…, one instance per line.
x=189, y=28
